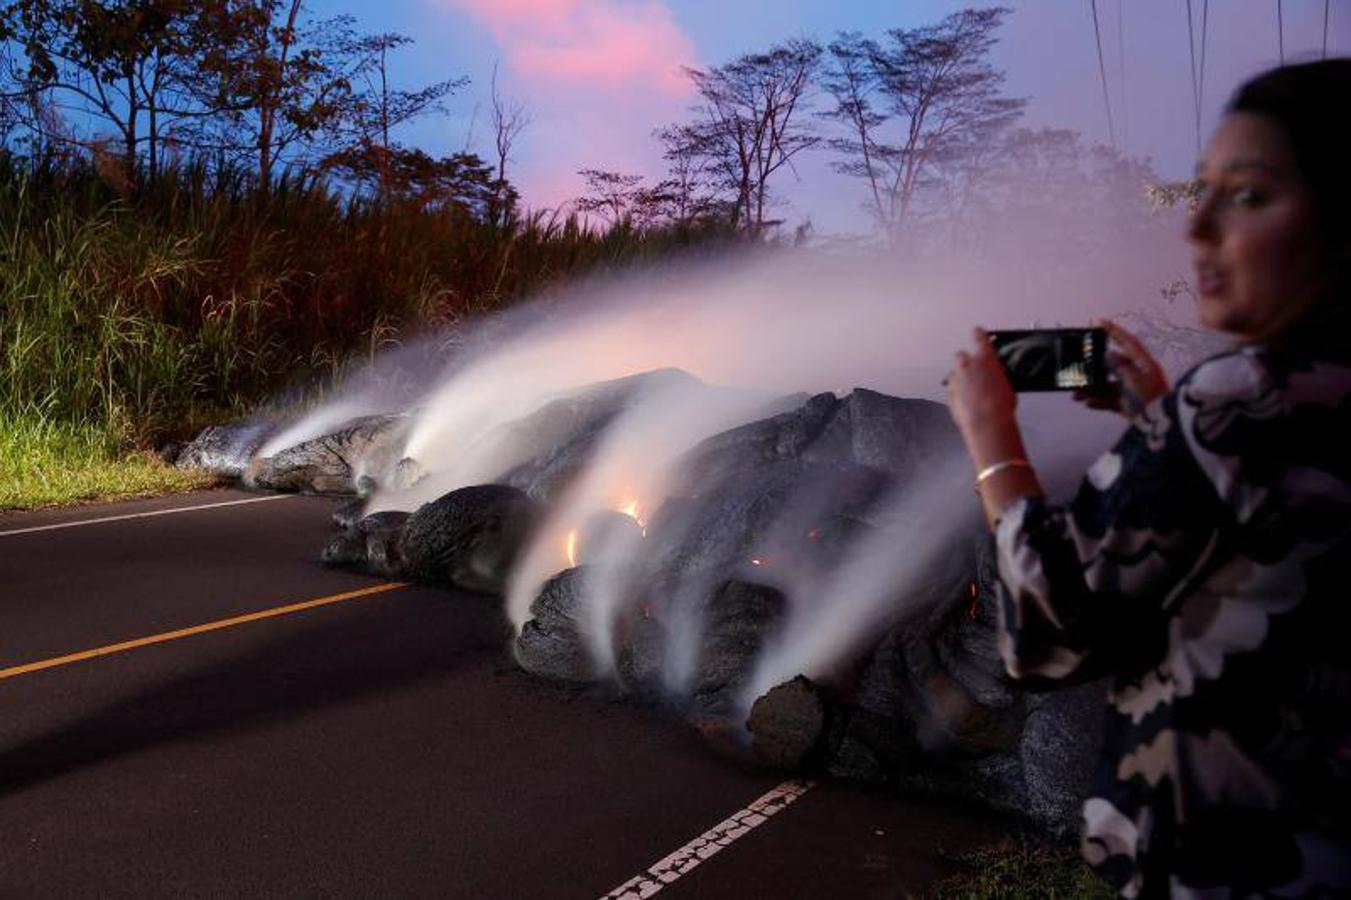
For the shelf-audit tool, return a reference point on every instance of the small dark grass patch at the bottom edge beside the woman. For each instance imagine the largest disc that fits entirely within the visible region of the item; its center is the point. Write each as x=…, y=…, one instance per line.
x=1022, y=870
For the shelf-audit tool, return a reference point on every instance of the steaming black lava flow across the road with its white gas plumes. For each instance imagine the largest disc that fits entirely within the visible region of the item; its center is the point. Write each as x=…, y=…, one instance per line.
x=728, y=489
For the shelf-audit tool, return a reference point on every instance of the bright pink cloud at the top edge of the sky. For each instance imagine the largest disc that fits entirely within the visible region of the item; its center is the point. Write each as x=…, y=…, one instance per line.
x=610, y=45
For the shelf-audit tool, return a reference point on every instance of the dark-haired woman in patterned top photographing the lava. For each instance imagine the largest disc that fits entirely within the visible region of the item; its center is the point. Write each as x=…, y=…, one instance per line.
x=1206, y=561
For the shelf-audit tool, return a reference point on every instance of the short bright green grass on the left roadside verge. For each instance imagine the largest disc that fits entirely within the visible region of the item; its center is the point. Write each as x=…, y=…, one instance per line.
x=45, y=464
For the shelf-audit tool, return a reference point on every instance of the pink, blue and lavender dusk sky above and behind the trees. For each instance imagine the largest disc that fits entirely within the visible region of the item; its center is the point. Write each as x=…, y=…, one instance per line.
x=598, y=76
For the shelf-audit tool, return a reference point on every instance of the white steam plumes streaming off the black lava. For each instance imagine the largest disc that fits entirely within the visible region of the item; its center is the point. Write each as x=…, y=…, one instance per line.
x=760, y=329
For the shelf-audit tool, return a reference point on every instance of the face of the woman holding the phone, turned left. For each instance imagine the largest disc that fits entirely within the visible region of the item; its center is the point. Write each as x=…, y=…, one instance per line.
x=1254, y=240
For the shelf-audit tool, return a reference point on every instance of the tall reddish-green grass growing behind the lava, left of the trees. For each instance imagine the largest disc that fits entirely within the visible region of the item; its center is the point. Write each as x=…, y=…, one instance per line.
x=144, y=317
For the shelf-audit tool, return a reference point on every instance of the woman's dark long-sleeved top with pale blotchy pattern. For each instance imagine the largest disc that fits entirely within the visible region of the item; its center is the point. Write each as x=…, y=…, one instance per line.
x=1204, y=566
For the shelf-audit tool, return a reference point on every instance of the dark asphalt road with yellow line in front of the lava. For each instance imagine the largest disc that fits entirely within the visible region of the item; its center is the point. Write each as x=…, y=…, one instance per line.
x=380, y=747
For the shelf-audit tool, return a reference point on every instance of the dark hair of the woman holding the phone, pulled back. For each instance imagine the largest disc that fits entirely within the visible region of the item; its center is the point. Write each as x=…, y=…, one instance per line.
x=1310, y=103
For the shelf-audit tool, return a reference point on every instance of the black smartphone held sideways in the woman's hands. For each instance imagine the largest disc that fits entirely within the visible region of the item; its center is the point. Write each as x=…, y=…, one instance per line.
x=1054, y=359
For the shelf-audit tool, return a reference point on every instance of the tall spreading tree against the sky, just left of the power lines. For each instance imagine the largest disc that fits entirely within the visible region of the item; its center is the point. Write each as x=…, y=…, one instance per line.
x=915, y=103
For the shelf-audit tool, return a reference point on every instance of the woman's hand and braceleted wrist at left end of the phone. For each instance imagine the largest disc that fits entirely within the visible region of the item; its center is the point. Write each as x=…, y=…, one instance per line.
x=984, y=409
